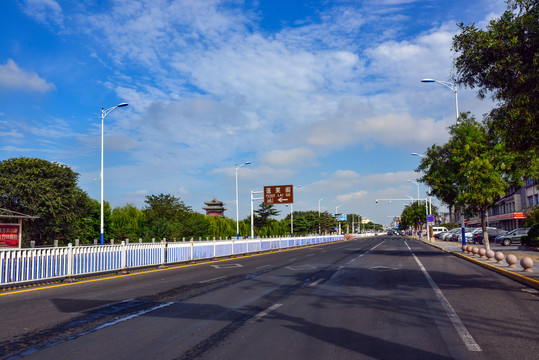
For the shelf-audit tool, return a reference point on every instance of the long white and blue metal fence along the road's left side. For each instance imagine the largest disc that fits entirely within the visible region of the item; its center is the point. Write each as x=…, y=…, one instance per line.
x=26, y=265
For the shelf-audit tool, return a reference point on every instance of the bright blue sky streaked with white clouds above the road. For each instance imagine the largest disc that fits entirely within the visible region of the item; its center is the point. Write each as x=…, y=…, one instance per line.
x=324, y=95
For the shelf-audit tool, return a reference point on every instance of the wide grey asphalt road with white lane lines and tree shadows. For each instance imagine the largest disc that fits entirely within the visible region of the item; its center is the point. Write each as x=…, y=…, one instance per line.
x=376, y=298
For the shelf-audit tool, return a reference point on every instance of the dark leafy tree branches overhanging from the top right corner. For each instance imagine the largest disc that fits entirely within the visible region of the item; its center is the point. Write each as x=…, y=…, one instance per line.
x=503, y=61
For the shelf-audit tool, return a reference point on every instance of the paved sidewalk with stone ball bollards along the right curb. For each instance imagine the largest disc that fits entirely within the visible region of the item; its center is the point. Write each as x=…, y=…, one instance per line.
x=516, y=273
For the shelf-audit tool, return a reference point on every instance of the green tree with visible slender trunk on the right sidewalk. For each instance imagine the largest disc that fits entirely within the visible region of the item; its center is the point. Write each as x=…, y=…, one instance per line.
x=476, y=166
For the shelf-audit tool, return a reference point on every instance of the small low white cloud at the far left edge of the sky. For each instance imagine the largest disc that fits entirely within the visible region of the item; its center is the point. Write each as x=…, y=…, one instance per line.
x=14, y=78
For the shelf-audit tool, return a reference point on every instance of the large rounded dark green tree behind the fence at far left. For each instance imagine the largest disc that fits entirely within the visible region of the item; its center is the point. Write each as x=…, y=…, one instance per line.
x=47, y=190
